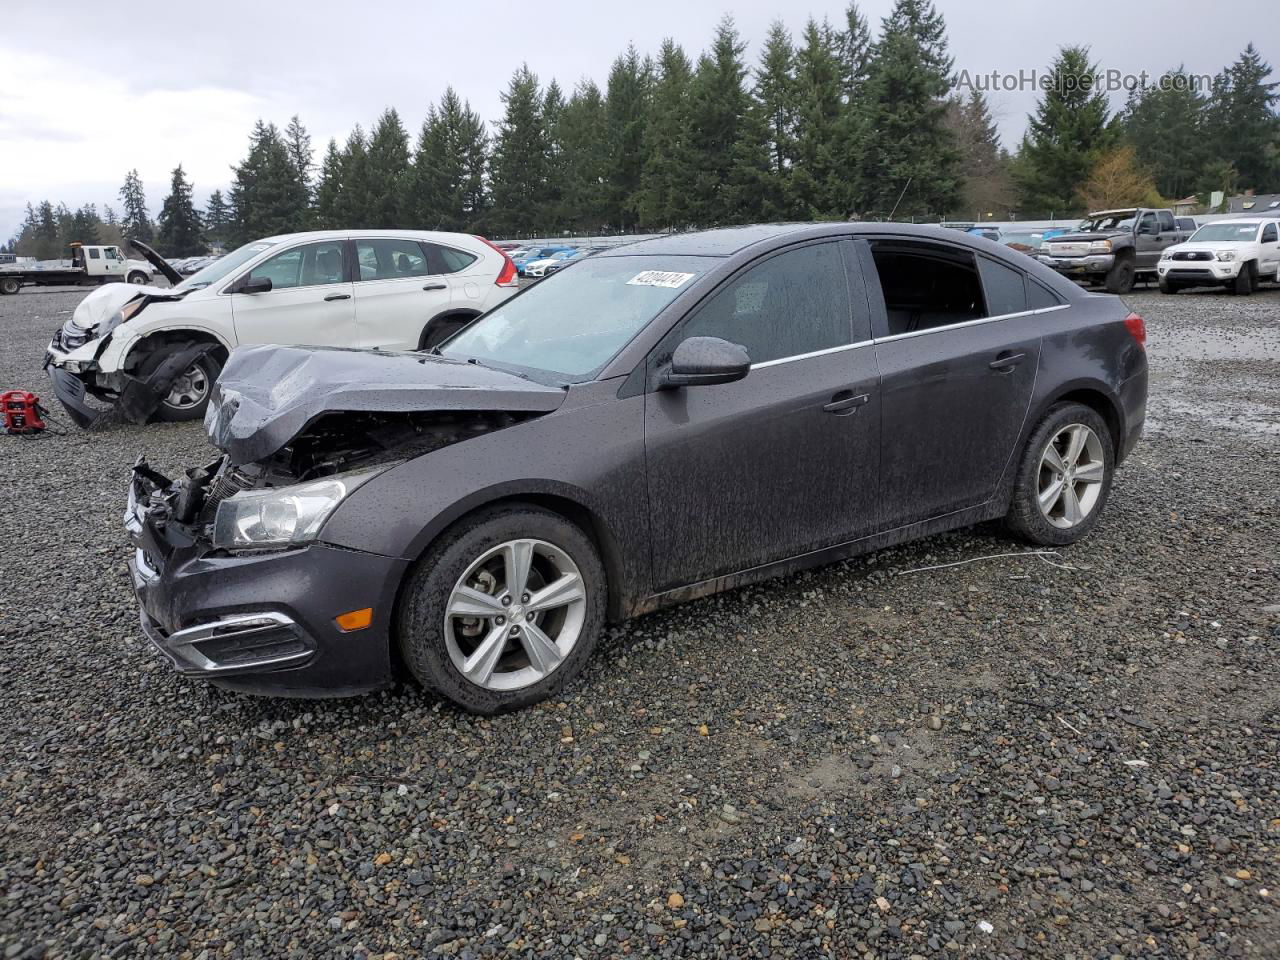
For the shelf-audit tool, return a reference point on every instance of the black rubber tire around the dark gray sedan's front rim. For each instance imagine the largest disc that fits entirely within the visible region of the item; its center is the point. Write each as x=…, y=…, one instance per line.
x=420, y=618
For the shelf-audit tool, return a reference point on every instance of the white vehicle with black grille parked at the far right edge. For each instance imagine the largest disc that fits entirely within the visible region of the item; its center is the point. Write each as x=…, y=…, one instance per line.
x=1233, y=254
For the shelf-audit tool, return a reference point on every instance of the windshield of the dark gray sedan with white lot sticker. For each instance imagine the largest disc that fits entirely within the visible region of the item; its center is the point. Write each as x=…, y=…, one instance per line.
x=572, y=324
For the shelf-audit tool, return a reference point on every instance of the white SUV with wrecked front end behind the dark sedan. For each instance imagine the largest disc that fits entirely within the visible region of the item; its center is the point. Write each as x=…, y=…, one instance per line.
x=158, y=351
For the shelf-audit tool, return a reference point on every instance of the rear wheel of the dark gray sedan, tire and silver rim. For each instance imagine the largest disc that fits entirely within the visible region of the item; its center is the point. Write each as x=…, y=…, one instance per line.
x=1064, y=477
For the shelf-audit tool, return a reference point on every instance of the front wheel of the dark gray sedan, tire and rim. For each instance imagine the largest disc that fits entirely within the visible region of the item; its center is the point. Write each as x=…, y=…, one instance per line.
x=505, y=611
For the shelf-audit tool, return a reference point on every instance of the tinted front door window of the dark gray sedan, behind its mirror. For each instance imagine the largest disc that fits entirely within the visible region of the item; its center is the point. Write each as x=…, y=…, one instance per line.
x=792, y=304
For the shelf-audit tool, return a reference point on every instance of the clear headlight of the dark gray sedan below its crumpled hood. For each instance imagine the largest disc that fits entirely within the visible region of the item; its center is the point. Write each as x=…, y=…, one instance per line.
x=284, y=516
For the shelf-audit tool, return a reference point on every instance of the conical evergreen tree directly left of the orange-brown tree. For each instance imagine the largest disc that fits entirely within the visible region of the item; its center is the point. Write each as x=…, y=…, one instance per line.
x=1067, y=136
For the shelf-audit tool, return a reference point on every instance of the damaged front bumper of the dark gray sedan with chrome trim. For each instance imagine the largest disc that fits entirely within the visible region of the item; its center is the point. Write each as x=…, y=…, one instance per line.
x=263, y=623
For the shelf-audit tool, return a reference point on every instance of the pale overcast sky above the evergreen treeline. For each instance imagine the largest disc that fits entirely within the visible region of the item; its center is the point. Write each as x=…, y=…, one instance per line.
x=90, y=90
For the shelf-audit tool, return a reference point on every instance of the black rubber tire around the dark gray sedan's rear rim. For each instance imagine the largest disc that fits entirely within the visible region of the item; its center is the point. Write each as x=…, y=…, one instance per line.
x=1026, y=519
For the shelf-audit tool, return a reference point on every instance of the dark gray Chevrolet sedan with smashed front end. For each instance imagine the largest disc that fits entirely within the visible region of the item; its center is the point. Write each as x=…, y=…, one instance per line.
x=651, y=424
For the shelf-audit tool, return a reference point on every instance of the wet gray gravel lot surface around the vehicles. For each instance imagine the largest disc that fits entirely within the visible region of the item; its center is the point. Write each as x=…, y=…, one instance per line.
x=1007, y=758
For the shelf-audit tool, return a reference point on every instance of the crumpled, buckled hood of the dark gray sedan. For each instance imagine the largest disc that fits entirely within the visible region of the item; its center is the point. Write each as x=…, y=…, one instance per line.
x=267, y=395
